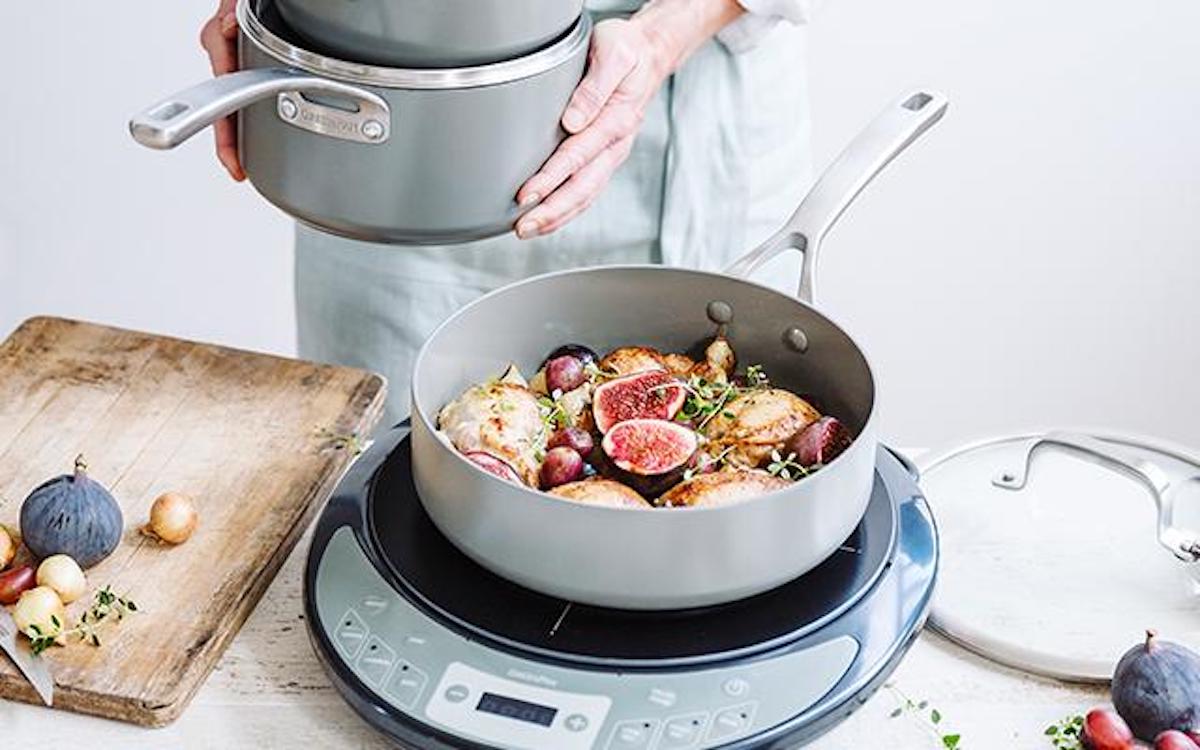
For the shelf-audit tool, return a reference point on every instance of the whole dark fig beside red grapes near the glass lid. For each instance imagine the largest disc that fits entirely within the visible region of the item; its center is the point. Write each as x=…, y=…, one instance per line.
x=1156, y=687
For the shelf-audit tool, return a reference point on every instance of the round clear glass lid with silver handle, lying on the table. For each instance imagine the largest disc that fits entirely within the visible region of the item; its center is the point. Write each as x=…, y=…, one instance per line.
x=1060, y=550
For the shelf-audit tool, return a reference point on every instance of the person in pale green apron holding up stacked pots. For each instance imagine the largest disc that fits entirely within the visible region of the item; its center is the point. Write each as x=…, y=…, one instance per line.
x=688, y=145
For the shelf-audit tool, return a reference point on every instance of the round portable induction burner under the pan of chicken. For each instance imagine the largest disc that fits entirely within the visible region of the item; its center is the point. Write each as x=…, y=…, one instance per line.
x=436, y=652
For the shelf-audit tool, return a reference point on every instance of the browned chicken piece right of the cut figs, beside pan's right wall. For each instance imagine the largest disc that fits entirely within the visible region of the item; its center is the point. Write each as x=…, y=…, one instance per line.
x=754, y=424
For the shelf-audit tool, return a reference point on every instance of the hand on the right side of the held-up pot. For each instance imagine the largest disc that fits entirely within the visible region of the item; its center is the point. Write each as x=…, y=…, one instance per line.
x=603, y=121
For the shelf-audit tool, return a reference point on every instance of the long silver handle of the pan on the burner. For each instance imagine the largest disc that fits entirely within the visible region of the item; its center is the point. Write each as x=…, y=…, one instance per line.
x=884, y=140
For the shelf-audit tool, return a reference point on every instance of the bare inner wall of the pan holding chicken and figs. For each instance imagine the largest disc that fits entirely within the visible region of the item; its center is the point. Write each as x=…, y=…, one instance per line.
x=656, y=307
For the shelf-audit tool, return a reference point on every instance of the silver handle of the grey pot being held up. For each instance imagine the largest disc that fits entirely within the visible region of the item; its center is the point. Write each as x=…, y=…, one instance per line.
x=178, y=118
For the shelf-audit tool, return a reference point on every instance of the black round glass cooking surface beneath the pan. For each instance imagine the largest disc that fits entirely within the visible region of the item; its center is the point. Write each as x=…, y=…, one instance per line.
x=423, y=565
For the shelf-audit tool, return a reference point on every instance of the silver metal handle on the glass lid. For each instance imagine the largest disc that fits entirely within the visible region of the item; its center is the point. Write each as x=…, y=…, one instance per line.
x=1181, y=543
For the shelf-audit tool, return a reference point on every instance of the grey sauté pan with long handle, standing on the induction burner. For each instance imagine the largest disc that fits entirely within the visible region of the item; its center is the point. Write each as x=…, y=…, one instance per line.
x=652, y=559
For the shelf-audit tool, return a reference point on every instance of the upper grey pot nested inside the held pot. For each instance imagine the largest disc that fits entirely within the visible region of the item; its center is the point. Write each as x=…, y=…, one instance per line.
x=431, y=33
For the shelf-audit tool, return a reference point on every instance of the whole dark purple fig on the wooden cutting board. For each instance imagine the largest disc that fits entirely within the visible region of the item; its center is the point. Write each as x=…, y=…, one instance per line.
x=73, y=515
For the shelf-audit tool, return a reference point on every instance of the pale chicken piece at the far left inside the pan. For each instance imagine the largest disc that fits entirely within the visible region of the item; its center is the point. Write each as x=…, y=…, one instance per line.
x=501, y=419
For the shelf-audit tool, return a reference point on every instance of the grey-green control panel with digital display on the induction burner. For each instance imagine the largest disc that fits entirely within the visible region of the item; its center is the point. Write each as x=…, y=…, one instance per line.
x=443, y=680
